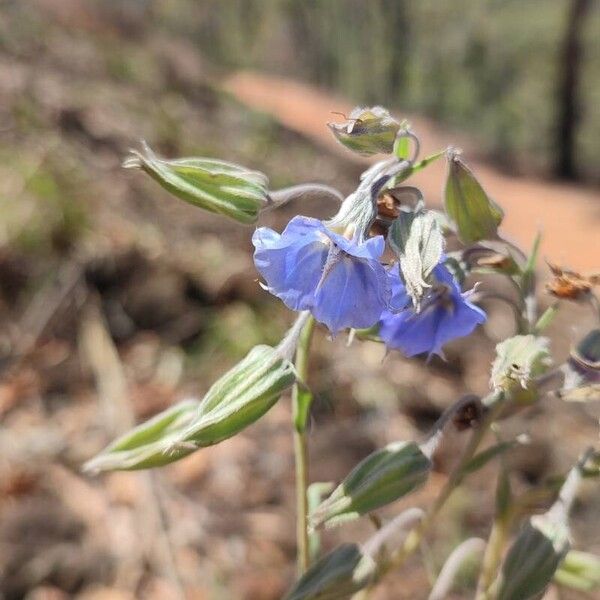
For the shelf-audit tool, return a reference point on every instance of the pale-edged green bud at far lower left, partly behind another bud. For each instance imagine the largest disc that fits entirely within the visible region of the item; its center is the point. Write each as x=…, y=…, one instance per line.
x=151, y=444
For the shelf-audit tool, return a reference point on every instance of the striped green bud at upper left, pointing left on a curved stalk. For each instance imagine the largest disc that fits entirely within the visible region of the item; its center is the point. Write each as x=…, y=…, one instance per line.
x=214, y=185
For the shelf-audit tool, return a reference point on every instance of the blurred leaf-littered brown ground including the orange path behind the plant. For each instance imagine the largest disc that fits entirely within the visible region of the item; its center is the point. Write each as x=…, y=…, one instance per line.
x=116, y=301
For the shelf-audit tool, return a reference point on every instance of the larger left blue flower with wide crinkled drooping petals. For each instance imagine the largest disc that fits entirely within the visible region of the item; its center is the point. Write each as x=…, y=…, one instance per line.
x=310, y=267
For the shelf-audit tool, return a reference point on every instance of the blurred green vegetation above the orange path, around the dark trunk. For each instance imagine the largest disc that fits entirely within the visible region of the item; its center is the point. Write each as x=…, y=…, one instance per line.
x=492, y=67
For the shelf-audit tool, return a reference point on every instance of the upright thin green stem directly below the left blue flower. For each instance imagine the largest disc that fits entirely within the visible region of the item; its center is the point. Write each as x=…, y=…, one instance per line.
x=301, y=401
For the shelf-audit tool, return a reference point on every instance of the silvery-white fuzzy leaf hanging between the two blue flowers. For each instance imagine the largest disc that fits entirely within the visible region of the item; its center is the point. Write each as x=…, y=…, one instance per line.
x=416, y=239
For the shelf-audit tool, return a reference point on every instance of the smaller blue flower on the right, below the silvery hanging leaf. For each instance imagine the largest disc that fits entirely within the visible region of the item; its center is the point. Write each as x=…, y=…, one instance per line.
x=445, y=314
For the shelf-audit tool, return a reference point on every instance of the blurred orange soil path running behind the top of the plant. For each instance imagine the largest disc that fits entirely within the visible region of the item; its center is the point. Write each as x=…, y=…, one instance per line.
x=568, y=215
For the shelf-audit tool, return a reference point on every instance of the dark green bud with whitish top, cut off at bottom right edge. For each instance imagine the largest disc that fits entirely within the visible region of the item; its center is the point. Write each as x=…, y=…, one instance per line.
x=533, y=559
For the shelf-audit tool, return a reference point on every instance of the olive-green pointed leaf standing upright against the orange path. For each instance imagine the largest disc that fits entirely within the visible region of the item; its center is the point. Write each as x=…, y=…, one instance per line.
x=477, y=217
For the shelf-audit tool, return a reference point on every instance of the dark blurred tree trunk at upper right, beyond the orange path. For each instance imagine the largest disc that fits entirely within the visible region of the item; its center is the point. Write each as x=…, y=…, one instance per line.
x=568, y=88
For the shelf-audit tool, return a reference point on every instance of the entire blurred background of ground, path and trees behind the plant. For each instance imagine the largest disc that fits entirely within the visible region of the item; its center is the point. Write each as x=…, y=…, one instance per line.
x=116, y=300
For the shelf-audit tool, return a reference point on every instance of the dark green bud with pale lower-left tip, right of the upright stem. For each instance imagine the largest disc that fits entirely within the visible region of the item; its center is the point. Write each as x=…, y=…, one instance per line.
x=382, y=477
